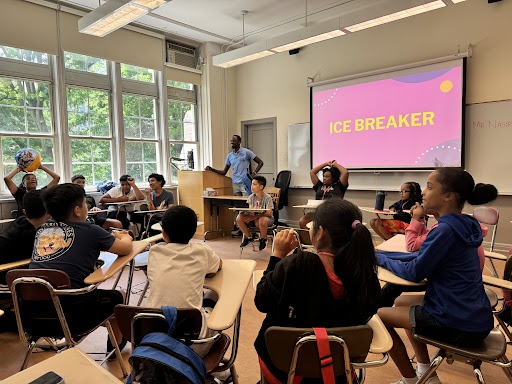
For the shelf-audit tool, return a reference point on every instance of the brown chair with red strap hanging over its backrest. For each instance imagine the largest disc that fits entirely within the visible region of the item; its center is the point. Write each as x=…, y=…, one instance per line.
x=294, y=350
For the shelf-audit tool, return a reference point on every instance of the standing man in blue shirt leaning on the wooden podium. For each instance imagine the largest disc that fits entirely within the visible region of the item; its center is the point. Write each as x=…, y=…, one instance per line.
x=240, y=159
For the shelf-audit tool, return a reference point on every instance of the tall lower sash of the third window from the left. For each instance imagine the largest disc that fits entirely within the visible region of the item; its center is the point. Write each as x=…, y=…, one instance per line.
x=139, y=114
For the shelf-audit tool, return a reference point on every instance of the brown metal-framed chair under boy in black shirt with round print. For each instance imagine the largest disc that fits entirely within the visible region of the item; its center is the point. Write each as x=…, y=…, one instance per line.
x=36, y=295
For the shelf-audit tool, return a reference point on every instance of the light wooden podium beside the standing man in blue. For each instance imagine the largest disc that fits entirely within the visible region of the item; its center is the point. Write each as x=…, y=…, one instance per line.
x=191, y=185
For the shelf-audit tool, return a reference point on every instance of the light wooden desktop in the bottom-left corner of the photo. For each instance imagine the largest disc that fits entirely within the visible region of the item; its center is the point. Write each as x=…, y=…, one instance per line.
x=73, y=365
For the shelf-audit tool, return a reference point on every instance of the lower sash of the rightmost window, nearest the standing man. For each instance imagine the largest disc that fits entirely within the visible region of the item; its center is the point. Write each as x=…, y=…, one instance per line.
x=182, y=136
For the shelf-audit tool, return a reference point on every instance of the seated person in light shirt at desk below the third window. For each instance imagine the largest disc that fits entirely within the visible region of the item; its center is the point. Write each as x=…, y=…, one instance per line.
x=127, y=191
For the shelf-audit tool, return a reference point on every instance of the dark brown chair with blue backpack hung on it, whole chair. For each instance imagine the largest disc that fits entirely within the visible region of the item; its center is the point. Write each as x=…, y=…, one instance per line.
x=135, y=322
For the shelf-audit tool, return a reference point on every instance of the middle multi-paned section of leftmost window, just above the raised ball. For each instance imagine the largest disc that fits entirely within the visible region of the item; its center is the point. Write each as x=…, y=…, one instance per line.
x=33, y=112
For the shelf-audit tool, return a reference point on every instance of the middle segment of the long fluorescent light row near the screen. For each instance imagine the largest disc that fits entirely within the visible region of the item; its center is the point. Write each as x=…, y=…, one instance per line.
x=309, y=35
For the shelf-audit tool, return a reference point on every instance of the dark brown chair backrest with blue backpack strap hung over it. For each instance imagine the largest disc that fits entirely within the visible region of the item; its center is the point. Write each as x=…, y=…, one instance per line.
x=136, y=322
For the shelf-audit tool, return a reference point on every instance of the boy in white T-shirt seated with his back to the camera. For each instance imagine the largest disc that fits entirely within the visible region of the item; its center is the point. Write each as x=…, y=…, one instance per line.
x=177, y=269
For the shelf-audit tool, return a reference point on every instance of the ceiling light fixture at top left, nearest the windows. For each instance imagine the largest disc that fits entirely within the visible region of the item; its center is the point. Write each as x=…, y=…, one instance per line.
x=115, y=14
